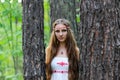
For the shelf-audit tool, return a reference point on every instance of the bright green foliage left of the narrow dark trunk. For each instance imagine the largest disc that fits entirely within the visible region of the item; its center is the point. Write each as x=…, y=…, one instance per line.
x=11, y=41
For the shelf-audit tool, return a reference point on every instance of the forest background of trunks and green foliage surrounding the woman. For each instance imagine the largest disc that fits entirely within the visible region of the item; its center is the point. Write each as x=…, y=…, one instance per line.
x=95, y=23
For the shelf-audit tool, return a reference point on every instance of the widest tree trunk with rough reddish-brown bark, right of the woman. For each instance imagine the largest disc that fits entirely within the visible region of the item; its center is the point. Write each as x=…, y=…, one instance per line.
x=99, y=34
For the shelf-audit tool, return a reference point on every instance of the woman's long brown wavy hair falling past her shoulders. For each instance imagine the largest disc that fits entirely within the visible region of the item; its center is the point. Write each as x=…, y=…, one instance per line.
x=72, y=51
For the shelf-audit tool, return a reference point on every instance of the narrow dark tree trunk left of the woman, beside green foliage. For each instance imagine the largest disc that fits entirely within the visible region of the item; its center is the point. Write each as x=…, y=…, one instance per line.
x=33, y=40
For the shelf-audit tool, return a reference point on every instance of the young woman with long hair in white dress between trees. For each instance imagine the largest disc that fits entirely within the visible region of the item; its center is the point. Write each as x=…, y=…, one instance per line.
x=62, y=53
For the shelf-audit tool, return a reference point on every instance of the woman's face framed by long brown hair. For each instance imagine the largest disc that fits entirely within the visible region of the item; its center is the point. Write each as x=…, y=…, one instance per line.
x=60, y=32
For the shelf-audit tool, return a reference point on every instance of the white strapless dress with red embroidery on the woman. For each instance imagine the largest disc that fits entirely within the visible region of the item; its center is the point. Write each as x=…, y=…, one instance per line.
x=59, y=67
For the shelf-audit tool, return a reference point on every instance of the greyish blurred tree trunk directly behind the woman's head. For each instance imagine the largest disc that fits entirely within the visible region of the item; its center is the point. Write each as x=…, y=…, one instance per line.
x=64, y=9
